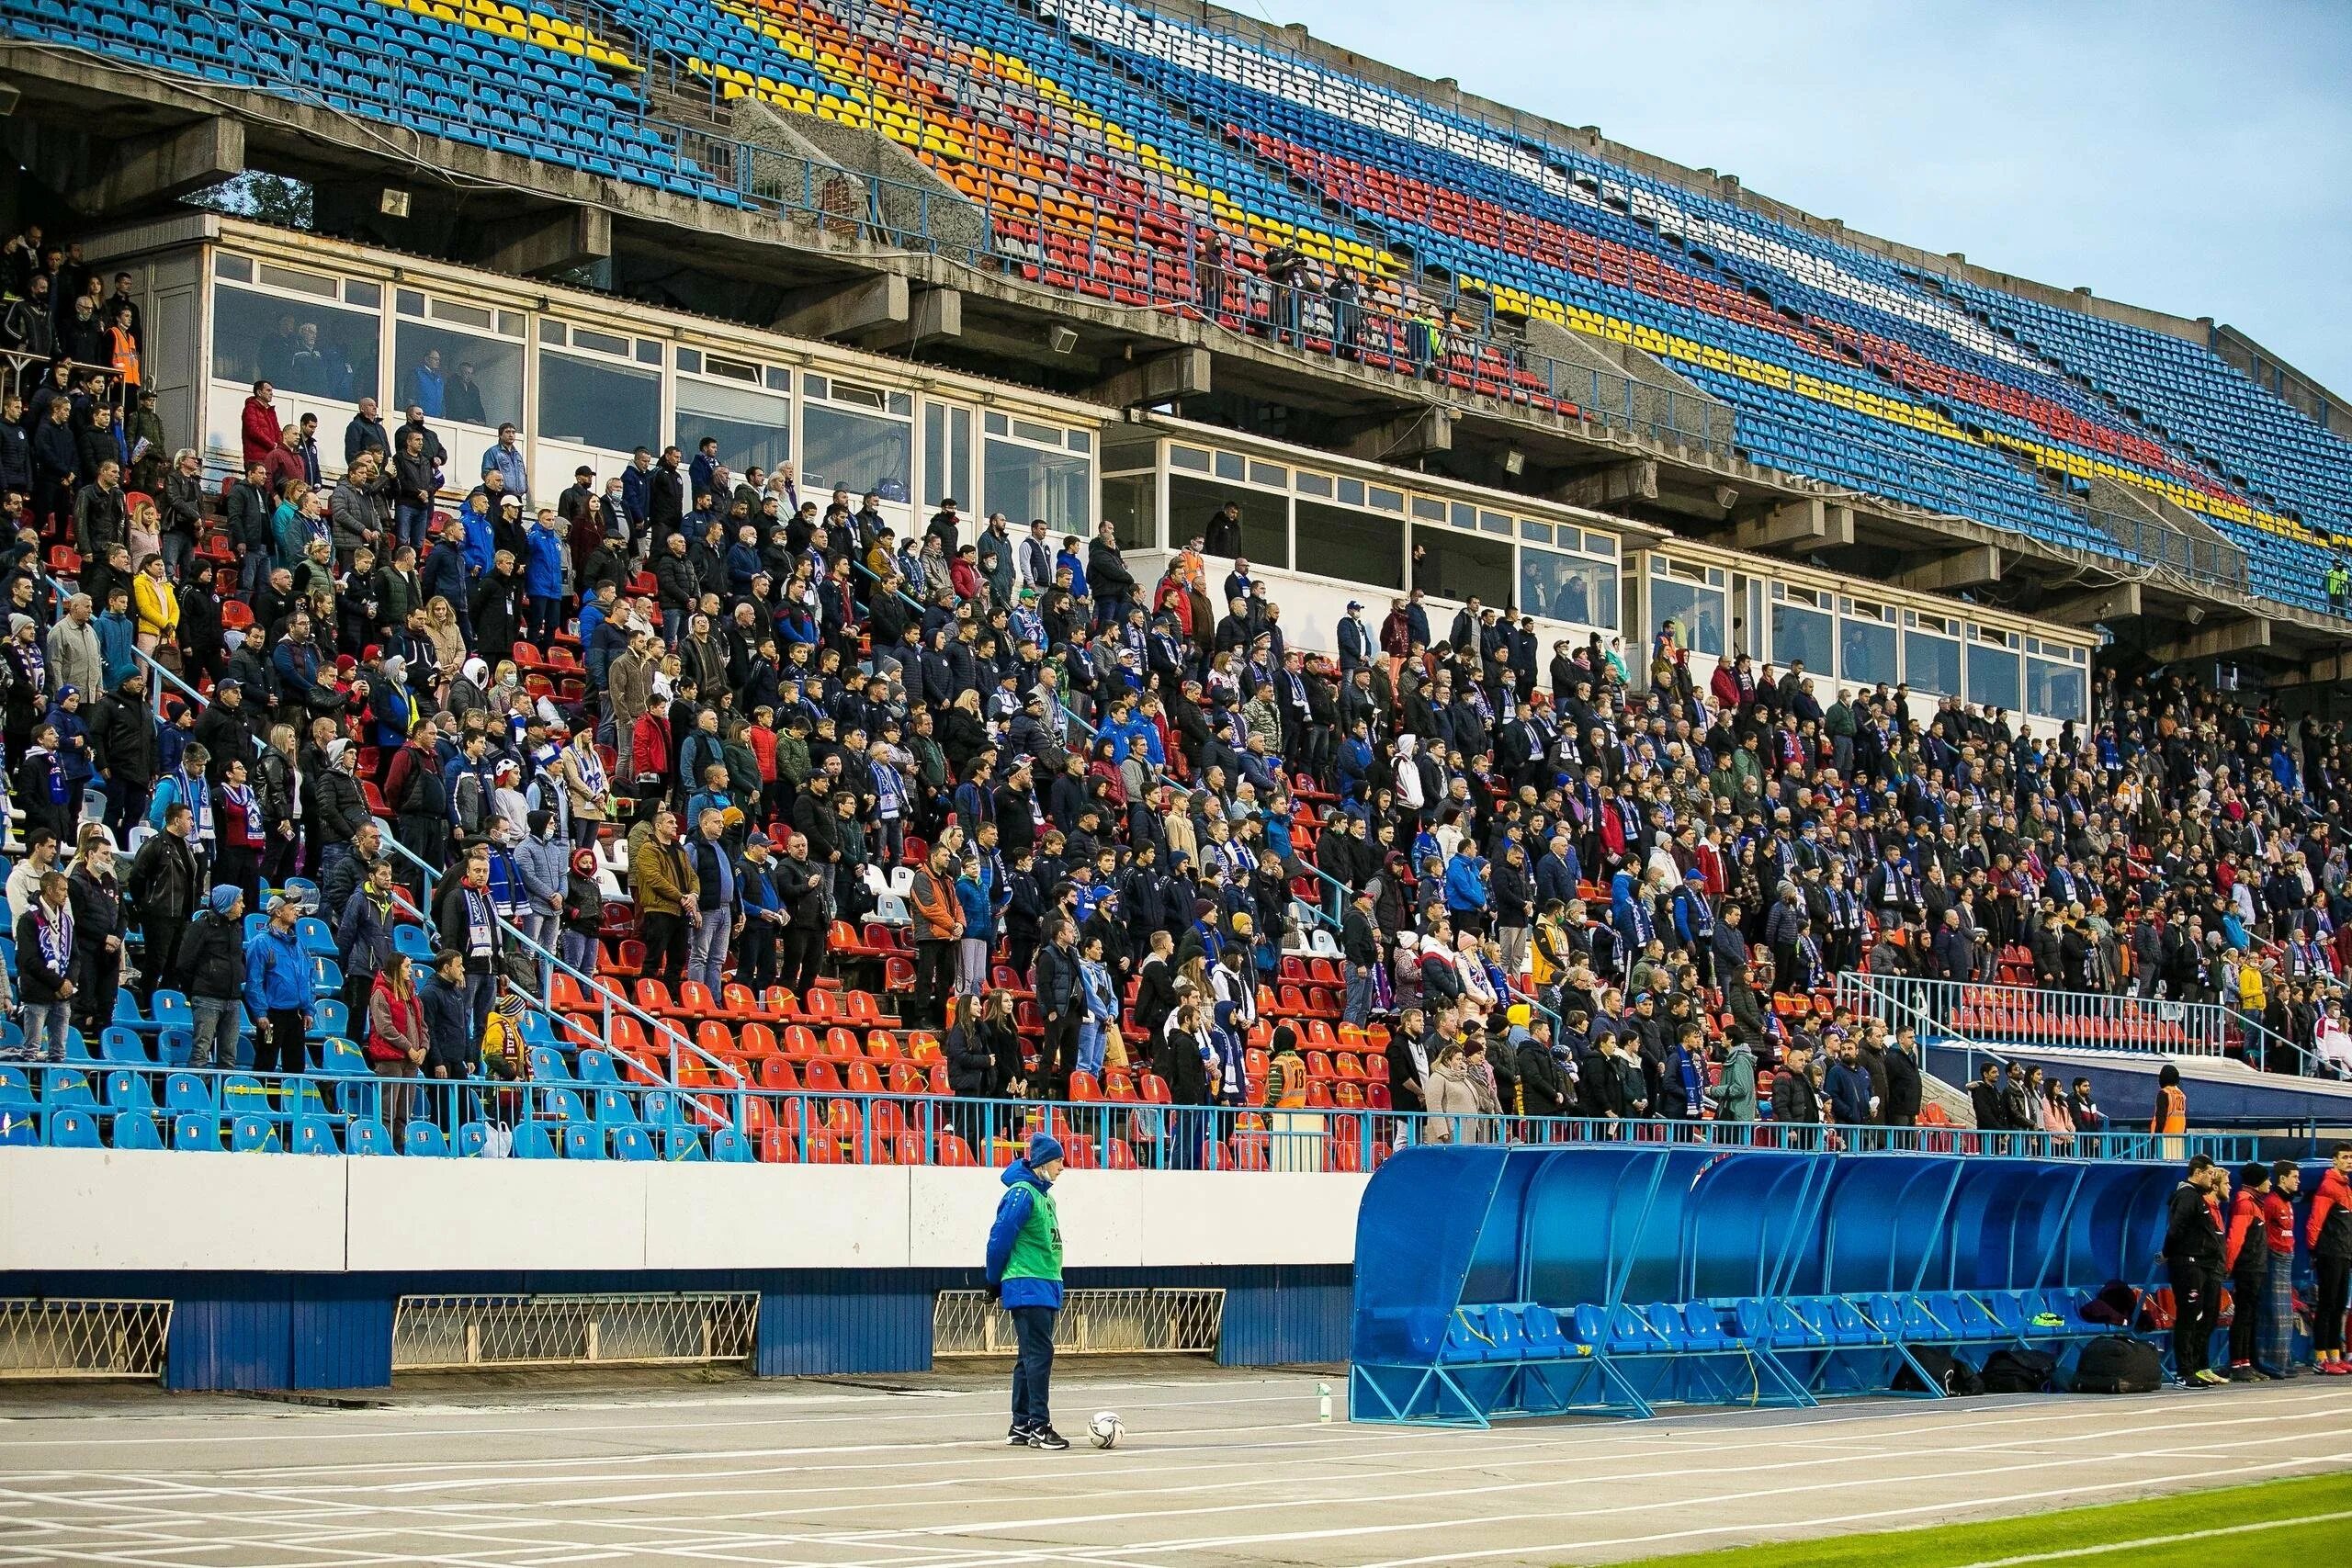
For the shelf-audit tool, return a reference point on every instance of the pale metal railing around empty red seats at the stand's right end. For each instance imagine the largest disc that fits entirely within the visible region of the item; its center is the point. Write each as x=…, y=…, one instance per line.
x=2005, y=1019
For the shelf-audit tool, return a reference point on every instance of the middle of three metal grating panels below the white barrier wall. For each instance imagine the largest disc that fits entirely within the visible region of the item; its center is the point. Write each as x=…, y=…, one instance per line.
x=620, y=1329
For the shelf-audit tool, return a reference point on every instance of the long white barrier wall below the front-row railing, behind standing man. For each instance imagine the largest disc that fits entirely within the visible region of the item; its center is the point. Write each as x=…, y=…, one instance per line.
x=107, y=1209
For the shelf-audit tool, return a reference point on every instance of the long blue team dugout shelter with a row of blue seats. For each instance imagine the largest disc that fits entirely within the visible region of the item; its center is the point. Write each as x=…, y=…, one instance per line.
x=1504, y=1282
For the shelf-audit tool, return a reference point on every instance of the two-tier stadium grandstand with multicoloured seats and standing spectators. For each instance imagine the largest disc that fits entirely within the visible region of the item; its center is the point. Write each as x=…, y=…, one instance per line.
x=711, y=617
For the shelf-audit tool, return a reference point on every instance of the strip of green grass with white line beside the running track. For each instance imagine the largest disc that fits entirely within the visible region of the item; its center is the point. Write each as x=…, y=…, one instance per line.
x=2278, y=1522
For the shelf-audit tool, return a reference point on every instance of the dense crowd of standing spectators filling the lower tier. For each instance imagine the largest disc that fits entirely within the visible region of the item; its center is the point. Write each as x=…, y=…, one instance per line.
x=1563, y=878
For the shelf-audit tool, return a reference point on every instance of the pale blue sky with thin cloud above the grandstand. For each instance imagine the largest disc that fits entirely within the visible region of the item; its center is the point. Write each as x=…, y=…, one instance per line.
x=2184, y=156
